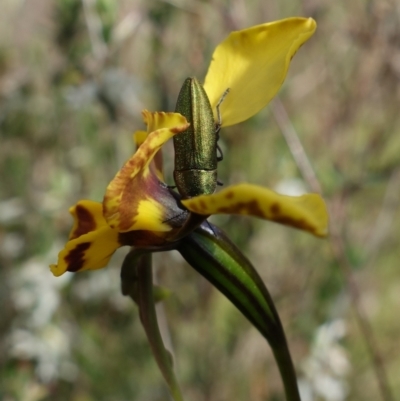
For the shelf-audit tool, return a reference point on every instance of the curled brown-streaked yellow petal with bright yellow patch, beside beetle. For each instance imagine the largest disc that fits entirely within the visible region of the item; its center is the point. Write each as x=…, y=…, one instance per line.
x=135, y=199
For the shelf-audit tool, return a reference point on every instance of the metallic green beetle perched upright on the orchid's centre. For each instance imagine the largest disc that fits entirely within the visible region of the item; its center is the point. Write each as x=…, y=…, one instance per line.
x=196, y=148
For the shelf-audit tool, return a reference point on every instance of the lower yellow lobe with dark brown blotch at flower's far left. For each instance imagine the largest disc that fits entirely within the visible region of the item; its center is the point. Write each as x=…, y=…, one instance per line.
x=87, y=252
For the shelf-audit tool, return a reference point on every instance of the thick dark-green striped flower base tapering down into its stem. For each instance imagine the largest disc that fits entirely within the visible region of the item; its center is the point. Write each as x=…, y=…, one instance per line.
x=209, y=251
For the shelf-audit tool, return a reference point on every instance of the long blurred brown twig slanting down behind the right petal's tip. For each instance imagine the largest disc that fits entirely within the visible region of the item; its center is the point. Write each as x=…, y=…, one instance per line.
x=338, y=248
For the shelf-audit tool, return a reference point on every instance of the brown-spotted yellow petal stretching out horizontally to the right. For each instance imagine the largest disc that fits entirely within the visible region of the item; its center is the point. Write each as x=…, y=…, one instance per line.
x=306, y=212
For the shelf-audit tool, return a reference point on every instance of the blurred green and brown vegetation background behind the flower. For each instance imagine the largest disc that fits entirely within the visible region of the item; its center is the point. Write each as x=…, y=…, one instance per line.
x=74, y=77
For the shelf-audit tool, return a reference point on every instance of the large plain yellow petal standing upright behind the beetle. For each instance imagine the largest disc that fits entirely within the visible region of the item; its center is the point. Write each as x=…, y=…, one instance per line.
x=253, y=64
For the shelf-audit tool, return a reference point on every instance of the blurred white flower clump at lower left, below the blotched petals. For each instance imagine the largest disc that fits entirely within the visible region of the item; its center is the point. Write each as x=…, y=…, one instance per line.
x=34, y=336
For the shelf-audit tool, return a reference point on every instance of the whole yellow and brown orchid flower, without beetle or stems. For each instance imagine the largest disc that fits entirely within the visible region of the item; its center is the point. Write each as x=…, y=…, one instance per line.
x=140, y=210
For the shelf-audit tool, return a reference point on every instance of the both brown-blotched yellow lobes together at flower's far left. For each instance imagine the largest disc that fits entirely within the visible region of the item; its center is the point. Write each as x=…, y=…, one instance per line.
x=92, y=242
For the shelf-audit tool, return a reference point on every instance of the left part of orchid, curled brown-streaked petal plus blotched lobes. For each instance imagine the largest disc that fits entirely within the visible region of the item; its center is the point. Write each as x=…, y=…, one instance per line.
x=138, y=208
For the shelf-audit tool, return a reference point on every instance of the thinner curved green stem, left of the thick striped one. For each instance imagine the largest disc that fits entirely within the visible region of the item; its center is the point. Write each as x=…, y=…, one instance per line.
x=149, y=320
